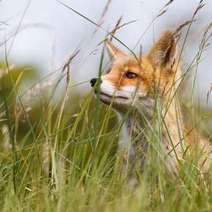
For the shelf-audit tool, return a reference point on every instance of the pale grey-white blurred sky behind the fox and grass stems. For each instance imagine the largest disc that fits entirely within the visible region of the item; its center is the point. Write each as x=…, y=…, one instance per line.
x=45, y=33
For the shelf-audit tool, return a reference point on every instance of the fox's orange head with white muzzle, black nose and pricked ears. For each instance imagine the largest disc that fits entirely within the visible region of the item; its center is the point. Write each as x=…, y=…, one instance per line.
x=132, y=79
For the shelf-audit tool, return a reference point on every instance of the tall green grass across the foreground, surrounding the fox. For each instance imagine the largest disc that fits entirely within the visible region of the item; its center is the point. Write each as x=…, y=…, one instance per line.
x=63, y=157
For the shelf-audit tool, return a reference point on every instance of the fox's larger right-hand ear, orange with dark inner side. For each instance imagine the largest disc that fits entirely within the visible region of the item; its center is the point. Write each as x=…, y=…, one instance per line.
x=163, y=52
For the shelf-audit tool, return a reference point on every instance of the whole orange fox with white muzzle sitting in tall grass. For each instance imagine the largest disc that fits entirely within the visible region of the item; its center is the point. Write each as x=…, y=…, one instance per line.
x=143, y=92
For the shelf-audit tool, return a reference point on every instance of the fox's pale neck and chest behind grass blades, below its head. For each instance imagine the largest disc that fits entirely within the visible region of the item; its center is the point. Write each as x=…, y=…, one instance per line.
x=146, y=122
